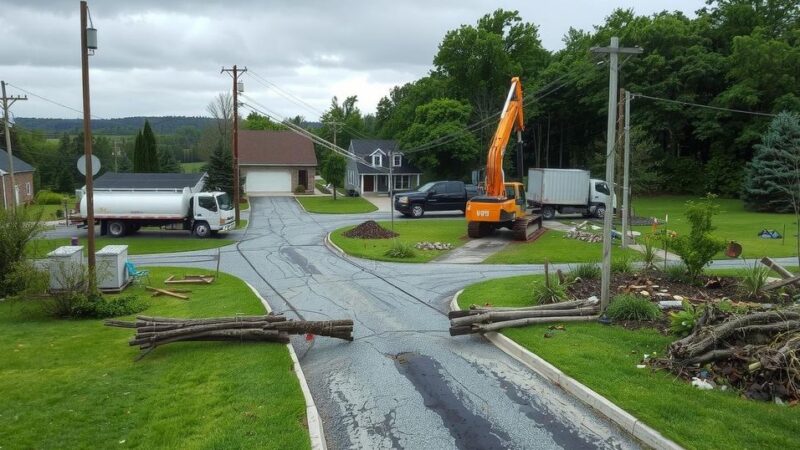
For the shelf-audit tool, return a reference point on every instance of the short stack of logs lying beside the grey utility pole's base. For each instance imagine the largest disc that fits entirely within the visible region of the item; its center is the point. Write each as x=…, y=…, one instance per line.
x=480, y=319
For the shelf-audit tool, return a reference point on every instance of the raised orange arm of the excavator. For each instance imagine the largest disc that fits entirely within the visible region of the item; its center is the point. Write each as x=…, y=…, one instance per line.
x=511, y=120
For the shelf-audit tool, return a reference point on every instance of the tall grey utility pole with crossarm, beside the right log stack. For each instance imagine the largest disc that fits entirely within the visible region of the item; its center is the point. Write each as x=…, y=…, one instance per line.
x=614, y=50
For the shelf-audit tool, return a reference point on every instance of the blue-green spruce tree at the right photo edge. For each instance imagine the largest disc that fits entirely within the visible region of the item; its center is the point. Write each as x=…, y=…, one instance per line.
x=773, y=176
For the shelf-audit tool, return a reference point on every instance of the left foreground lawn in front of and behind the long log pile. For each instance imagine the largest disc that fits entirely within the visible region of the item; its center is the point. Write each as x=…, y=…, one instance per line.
x=74, y=384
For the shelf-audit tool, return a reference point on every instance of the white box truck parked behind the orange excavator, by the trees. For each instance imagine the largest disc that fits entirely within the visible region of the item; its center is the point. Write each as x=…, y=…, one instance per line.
x=566, y=191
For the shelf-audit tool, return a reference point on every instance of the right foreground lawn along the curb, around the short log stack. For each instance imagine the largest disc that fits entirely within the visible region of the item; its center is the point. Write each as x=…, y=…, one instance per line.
x=604, y=358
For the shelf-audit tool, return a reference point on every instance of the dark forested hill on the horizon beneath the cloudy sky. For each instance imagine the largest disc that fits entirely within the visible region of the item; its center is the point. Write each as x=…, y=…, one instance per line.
x=121, y=126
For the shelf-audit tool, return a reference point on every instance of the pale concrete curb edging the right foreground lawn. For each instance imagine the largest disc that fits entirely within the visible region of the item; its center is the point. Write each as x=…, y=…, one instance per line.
x=614, y=413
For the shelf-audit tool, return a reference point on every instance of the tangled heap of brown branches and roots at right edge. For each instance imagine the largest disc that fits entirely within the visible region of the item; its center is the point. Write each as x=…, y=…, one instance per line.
x=757, y=354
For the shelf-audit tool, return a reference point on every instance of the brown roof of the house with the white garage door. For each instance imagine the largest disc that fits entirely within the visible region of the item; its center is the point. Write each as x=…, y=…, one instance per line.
x=275, y=148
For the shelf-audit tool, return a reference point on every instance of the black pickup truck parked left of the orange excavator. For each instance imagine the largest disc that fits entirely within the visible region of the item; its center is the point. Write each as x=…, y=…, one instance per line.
x=435, y=196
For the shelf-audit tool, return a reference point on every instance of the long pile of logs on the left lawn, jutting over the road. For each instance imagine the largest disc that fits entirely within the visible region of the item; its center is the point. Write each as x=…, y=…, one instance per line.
x=152, y=332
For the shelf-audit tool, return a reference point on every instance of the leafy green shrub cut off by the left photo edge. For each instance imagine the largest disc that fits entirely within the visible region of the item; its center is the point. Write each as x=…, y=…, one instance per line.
x=17, y=228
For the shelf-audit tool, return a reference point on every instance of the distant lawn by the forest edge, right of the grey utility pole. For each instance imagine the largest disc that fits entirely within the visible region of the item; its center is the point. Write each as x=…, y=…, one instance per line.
x=733, y=223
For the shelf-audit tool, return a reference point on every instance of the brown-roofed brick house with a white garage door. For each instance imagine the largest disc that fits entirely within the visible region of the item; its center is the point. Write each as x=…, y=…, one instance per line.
x=276, y=162
